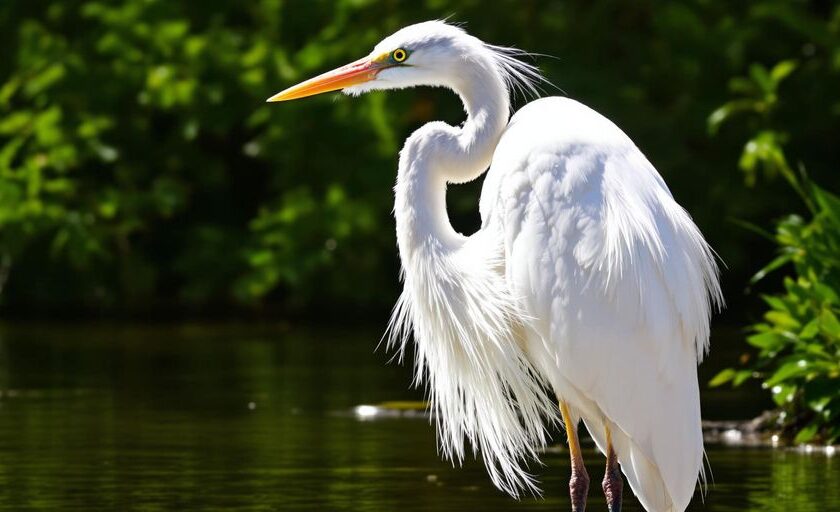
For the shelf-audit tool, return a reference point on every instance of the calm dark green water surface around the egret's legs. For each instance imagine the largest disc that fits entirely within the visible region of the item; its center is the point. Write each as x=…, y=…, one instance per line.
x=260, y=418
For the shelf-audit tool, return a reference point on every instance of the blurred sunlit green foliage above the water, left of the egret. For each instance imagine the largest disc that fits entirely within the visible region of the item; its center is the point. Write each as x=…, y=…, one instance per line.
x=134, y=154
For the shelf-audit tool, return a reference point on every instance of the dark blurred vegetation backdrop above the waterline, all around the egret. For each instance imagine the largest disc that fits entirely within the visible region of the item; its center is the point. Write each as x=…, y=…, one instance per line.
x=141, y=172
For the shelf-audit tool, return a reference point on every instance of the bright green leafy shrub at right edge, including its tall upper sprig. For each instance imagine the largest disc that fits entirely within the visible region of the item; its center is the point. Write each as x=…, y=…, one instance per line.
x=798, y=341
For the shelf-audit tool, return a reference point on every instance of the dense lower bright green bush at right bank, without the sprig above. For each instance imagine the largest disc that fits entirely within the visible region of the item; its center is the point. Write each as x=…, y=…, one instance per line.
x=798, y=343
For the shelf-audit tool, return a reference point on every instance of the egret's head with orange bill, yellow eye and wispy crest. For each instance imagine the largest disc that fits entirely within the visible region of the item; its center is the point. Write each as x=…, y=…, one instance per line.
x=432, y=53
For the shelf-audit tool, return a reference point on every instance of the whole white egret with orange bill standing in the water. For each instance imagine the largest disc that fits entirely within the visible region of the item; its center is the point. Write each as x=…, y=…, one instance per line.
x=586, y=278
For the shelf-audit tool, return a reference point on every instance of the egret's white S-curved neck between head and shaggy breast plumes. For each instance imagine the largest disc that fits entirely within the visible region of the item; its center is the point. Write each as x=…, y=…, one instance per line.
x=437, y=154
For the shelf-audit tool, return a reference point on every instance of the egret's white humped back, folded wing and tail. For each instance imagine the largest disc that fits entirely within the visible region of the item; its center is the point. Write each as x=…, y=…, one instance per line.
x=617, y=283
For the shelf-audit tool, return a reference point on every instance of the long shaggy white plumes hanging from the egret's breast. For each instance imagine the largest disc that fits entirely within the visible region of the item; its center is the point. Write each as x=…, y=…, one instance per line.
x=481, y=385
